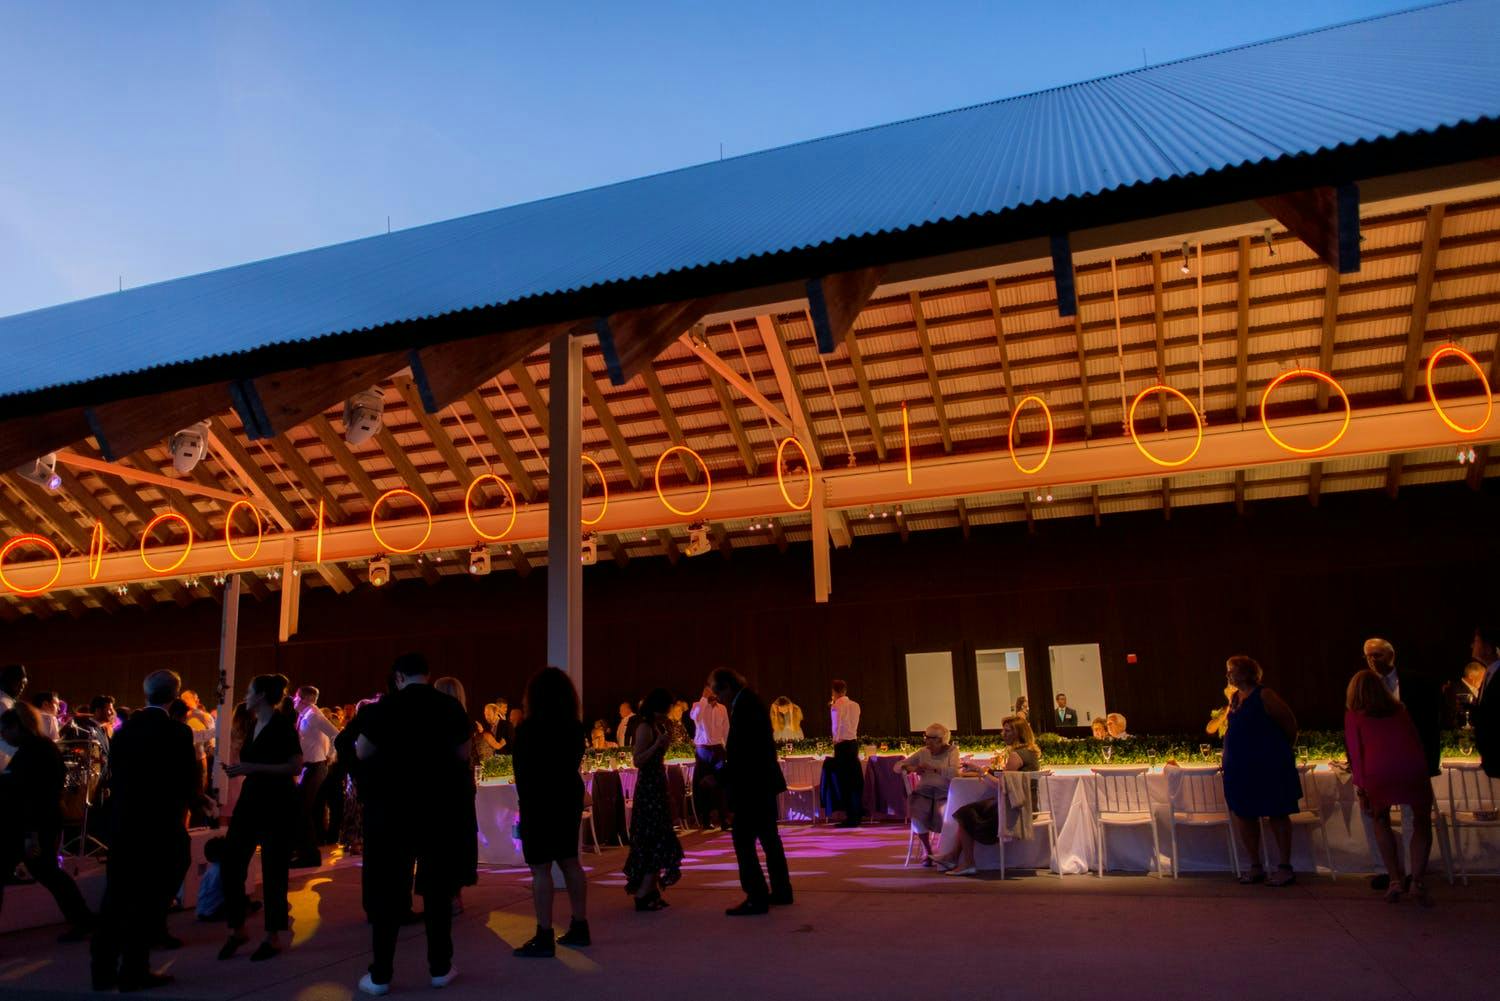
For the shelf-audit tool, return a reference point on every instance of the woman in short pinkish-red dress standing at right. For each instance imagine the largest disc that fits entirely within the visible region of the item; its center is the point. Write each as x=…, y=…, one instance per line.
x=1390, y=769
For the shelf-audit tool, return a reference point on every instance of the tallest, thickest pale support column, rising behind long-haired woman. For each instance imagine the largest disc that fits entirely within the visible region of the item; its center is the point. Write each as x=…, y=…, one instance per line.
x=565, y=510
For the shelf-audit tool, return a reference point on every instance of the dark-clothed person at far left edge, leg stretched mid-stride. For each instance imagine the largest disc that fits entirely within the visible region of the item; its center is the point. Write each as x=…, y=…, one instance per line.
x=32, y=817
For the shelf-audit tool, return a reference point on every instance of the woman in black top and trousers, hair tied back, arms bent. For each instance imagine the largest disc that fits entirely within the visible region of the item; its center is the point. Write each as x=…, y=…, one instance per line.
x=266, y=816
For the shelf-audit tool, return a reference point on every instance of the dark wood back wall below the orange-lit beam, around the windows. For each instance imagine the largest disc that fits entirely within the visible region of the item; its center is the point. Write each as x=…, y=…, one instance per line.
x=1294, y=586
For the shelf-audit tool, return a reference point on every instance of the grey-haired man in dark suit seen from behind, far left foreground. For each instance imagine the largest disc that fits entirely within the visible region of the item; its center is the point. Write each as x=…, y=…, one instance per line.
x=155, y=781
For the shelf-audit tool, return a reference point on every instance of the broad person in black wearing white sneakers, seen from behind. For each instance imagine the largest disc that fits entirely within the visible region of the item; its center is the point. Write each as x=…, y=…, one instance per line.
x=419, y=808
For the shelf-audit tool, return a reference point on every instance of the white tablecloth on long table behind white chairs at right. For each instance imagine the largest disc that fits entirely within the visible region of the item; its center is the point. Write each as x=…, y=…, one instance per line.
x=1202, y=850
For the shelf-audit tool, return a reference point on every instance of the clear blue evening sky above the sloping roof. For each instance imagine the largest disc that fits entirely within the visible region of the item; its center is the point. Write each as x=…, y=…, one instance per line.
x=151, y=140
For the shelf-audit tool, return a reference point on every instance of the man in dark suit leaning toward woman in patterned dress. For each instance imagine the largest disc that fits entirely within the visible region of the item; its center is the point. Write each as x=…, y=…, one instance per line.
x=754, y=780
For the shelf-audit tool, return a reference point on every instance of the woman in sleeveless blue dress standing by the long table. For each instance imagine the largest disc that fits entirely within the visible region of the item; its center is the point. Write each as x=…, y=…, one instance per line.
x=1261, y=769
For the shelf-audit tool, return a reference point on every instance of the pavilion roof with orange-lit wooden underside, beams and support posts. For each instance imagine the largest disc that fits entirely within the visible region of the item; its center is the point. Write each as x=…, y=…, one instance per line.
x=1267, y=272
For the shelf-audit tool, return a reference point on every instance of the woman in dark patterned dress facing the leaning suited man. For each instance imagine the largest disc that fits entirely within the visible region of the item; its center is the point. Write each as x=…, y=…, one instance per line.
x=656, y=855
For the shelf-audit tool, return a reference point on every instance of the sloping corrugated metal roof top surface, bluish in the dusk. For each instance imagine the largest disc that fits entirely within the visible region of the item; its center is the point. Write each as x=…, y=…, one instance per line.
x=1379, y=79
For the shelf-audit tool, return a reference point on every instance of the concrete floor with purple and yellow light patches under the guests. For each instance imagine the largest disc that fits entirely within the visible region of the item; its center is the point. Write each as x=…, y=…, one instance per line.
x=863, y=928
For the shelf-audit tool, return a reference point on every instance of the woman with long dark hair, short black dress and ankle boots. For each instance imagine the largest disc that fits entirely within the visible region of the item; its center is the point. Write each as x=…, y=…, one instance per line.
x=550, y=790
